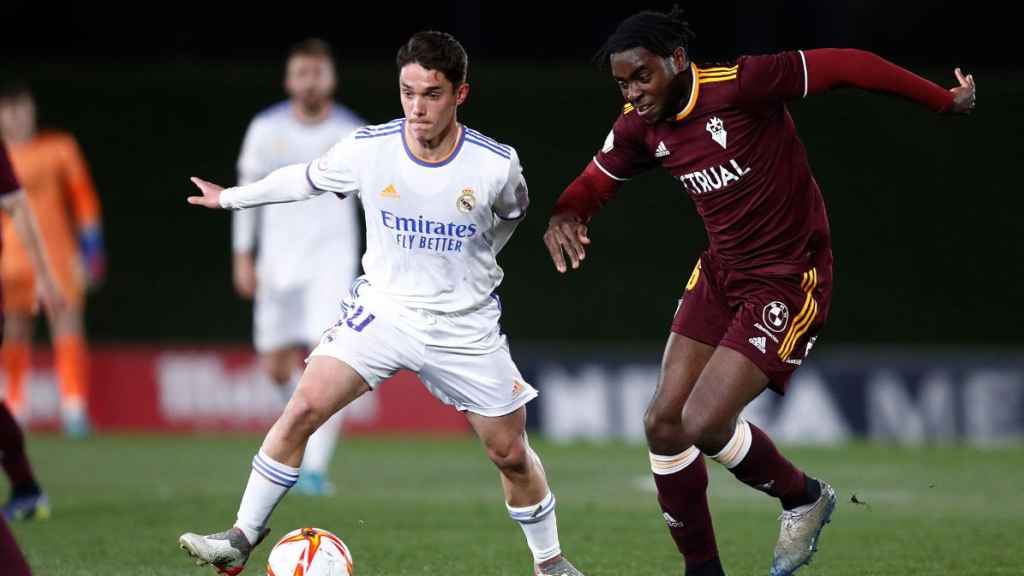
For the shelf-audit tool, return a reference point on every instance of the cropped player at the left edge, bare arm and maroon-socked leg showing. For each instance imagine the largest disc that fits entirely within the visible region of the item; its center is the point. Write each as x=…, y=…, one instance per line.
x=27, y=501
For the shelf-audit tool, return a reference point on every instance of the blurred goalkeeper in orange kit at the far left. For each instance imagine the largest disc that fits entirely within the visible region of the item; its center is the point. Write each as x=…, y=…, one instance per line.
x=60, y=190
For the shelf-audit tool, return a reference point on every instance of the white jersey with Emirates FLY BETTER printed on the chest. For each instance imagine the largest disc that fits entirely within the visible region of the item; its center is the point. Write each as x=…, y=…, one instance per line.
x=434, y=230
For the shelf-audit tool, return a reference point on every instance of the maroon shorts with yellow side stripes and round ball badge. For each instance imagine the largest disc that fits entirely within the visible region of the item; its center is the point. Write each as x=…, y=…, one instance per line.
x=770, y=317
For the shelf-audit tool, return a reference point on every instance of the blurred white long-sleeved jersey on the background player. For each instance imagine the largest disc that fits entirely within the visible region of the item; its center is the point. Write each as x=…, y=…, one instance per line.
x=295, y=241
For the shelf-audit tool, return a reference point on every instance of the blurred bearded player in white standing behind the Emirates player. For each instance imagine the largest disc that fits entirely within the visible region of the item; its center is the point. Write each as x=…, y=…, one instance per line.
x=306, y=251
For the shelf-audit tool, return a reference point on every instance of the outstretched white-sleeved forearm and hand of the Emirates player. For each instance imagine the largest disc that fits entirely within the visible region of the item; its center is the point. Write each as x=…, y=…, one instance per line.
x=284, y=185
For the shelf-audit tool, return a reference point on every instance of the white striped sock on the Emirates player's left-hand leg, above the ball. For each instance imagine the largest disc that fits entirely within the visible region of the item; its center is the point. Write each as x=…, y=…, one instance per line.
x=269, y=483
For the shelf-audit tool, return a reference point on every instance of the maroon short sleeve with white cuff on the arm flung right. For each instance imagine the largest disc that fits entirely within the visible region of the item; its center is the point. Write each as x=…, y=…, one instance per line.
x=773, y=78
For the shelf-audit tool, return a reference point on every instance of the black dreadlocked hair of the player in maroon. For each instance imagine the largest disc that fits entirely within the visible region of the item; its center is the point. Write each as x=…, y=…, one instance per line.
x=661, y=33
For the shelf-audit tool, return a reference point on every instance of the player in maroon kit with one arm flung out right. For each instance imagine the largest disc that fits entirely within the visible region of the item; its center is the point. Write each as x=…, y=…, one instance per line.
x=761, y=292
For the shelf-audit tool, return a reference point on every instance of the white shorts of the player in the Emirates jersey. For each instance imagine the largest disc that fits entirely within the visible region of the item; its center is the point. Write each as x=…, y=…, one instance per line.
x=378, y=338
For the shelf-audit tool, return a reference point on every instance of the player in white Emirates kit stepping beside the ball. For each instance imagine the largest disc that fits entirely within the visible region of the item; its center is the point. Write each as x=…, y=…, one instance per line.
x=440, y=200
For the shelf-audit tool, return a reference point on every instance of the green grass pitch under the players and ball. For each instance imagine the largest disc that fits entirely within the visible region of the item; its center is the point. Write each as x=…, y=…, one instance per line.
x=419, y=508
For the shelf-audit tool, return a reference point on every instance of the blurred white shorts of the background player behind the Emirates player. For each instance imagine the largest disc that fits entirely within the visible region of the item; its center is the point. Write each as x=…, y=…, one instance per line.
x=296, y=316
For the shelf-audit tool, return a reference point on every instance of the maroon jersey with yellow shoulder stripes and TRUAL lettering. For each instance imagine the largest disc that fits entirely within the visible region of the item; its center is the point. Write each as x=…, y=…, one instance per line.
x=735, y=150
